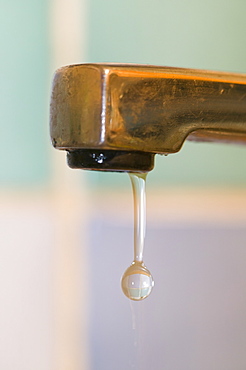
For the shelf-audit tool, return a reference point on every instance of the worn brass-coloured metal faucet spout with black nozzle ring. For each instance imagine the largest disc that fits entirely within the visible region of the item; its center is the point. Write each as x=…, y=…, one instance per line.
x=114, y=117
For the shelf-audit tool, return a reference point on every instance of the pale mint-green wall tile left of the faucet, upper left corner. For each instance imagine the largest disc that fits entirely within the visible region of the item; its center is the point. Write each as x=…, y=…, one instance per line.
x=24, y=92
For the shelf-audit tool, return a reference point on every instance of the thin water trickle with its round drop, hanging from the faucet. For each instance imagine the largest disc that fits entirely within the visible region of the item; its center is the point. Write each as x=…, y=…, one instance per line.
x=137, y=281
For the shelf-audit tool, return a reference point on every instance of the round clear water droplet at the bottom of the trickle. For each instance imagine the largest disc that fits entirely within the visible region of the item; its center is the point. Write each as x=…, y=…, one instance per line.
x=137, y=282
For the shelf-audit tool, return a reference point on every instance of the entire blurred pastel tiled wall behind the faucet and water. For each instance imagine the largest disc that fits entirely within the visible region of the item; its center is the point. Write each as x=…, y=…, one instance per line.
x=66, y=236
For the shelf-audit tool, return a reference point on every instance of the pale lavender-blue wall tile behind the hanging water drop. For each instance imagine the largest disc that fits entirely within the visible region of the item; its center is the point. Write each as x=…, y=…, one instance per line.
x=194, y=317
